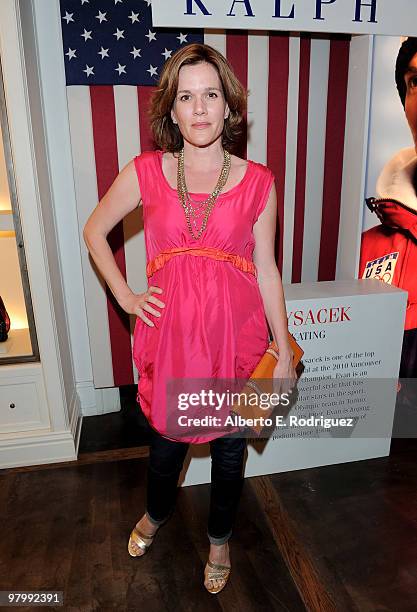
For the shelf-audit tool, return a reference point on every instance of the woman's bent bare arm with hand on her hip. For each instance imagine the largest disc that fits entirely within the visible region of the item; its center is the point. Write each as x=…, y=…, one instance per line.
x=122, y=197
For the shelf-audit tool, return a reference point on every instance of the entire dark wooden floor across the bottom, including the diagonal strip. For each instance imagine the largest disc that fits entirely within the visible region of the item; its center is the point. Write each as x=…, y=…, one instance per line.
x=337, y=538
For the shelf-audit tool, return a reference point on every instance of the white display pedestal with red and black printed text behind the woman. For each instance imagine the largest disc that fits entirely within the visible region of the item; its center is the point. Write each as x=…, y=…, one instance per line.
x=351, y=333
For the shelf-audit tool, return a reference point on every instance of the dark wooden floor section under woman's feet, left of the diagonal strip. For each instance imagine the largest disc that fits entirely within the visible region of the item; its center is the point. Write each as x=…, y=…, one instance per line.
x=67, y=529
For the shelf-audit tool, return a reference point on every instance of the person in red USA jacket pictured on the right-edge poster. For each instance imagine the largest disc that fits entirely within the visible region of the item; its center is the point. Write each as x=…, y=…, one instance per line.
x=389, y=250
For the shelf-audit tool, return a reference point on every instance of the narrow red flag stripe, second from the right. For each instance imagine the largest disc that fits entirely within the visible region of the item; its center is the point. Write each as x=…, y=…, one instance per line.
x=302, y=136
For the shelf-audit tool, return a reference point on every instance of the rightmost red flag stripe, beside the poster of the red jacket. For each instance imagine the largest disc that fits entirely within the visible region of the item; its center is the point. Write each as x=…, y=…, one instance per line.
x=333, y=165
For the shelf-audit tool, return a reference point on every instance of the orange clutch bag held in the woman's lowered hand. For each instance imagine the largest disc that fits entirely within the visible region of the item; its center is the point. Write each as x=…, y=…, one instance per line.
x=261, y=381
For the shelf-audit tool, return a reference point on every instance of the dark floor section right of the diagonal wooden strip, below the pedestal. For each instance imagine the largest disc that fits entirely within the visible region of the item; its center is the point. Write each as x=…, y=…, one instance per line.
x=359, y=522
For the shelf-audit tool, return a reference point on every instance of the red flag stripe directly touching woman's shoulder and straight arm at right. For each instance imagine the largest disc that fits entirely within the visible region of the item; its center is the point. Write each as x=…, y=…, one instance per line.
x=279, y=66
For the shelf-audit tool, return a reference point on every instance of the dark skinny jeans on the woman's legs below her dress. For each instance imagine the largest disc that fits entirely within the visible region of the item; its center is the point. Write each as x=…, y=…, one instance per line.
x=166, y=459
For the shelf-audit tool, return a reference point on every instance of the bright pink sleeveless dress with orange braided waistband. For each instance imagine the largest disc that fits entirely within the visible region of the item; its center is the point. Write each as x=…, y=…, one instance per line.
x=213, y=324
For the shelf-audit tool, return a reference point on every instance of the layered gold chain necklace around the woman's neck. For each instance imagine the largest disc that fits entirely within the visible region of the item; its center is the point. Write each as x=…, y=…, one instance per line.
x=194, y=212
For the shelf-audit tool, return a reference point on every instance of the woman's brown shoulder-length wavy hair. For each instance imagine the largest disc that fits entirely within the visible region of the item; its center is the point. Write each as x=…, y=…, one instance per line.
x=166, y=134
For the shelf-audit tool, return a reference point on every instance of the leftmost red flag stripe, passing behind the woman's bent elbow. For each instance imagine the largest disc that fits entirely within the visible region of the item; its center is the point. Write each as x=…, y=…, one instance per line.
x=105, y=150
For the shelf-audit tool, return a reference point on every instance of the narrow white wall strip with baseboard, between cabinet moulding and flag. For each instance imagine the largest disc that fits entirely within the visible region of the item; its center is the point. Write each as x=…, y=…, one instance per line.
x=47, y=33
